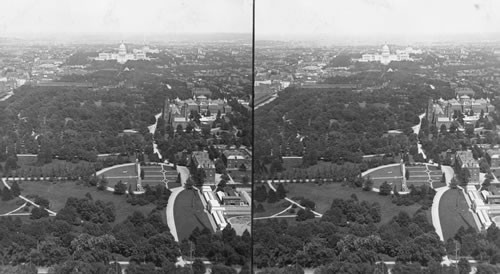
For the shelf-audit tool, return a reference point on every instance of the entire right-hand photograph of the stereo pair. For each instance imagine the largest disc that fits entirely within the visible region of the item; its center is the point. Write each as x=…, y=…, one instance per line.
x=376, y=137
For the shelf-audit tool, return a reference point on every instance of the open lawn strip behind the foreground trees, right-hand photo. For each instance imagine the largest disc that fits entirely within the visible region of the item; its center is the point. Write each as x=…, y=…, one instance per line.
x=324, y=194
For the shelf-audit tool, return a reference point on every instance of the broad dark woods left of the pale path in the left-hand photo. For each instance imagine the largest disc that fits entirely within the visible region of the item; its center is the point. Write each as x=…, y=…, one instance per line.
x=73, y=123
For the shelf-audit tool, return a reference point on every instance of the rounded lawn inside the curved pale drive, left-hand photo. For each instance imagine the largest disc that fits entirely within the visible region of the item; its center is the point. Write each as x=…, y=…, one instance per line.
x=189, y=214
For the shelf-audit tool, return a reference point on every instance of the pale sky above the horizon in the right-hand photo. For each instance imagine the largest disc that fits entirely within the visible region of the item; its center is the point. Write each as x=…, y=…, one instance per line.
x=284, y=18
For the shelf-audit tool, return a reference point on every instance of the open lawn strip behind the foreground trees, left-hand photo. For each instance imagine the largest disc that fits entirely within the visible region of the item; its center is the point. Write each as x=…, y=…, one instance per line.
x=58, y=192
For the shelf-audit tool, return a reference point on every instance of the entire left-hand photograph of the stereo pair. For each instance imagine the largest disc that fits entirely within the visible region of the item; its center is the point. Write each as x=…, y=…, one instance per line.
x=126, y=136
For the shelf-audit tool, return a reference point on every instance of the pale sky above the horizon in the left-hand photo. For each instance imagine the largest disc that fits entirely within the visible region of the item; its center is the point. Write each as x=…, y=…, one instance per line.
x=125, y=16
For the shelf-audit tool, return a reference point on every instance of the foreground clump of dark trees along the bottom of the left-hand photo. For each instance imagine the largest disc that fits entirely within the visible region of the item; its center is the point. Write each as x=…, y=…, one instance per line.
x=81, y=237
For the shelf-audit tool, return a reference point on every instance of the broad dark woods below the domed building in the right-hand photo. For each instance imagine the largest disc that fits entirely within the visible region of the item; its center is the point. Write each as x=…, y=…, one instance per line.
x=343, y=125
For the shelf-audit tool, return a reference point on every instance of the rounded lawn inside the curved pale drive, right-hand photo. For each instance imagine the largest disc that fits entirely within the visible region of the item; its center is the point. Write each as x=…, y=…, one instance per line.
x=454, y=213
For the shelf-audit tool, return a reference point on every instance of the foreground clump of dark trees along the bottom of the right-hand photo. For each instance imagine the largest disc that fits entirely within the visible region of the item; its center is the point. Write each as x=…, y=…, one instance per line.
x=348, y=236
